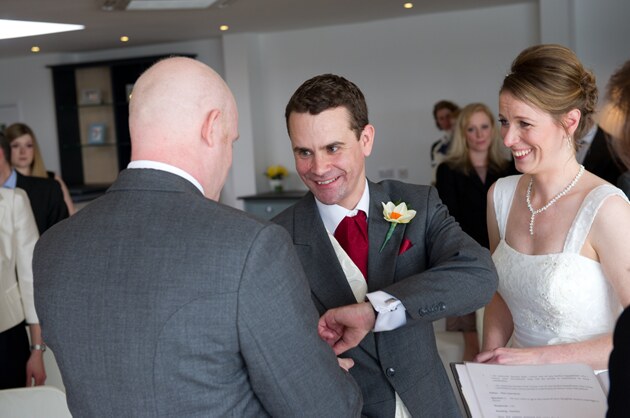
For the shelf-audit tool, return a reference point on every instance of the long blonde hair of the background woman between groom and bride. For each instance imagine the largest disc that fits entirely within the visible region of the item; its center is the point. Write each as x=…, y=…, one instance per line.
x=458, y=157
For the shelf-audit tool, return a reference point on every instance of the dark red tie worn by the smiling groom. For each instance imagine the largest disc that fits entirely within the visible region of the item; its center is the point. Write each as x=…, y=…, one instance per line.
x=351, y=234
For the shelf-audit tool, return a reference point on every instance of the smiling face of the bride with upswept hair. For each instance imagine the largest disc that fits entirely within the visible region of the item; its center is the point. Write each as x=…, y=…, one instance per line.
x=536, y=139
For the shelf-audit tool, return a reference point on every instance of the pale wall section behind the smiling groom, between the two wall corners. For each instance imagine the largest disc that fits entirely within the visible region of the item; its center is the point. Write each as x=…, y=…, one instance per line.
x=403, y=66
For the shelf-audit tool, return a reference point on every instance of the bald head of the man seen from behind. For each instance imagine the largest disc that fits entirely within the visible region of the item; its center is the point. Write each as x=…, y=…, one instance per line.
x=179, y=108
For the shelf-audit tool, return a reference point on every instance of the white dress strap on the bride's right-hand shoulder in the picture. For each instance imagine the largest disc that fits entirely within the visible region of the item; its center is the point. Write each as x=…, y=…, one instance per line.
x=586, y=215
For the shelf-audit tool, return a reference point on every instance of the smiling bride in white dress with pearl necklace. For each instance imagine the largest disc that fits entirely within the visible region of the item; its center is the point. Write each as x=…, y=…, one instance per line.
x=560, y=236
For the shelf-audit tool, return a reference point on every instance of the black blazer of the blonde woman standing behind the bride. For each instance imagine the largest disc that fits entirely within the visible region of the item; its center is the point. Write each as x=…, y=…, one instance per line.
x=465, y=195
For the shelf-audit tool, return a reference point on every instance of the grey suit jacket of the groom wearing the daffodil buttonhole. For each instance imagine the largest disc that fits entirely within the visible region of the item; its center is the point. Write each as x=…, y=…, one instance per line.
x=444, y=273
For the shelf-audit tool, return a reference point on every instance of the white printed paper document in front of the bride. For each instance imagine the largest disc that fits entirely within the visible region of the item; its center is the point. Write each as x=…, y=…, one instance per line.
x=541, y=391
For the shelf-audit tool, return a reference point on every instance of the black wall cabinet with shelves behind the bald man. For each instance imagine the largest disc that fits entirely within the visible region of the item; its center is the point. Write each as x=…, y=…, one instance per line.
x=91, y=102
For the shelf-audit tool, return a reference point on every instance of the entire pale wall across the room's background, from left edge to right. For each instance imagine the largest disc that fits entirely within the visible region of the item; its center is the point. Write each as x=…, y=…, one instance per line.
x=402, y=65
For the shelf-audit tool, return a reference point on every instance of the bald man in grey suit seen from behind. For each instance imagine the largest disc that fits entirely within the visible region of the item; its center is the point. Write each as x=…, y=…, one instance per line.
x=159, y=301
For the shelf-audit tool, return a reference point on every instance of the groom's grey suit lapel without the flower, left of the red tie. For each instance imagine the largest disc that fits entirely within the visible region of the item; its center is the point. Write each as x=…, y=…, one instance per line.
x=326, y=277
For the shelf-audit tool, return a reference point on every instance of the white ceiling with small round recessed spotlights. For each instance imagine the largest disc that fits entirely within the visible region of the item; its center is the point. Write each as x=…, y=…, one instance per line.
x=103, y=29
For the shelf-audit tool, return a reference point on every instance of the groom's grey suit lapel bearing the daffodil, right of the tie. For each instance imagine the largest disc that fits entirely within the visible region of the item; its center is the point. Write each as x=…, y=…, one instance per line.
x=382, y=265
